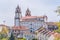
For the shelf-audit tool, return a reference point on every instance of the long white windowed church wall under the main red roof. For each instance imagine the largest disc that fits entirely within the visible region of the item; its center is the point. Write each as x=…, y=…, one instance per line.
x=34, y=24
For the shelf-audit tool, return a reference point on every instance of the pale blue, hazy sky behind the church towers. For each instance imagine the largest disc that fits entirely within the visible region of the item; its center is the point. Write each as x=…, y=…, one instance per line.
x=37, y=8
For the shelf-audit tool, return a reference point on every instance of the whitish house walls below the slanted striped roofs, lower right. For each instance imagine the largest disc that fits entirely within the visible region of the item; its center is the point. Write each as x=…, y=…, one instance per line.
x=42, y=36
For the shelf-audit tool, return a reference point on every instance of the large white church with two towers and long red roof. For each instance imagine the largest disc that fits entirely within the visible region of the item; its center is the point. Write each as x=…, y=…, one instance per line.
x=32, y=22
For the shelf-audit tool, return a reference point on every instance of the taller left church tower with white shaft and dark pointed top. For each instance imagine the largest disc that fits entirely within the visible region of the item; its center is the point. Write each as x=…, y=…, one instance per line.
x=18, y=15
